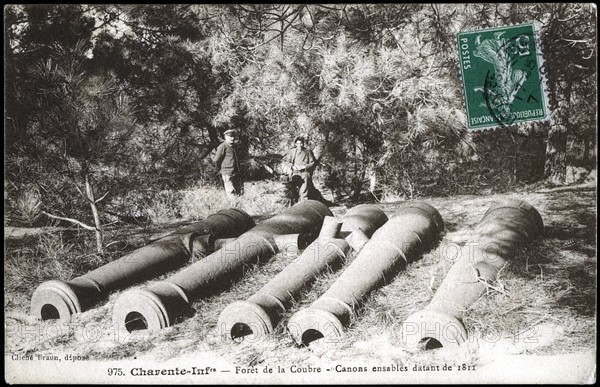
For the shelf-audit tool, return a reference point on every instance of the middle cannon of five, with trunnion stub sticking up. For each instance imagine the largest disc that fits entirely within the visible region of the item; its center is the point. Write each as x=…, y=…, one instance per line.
x=260, y=314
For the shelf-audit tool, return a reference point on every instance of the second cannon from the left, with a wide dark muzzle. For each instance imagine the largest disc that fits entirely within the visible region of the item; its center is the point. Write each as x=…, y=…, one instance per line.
x=165, y=303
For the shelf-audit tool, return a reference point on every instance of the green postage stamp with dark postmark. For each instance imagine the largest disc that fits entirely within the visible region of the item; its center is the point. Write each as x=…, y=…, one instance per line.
x=501, y=76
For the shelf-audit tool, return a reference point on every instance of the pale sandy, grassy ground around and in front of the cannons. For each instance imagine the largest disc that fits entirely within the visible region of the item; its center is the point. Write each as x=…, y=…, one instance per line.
x=561, y=349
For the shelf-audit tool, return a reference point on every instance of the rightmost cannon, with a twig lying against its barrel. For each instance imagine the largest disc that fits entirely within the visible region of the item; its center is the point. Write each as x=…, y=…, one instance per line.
x=504, y=230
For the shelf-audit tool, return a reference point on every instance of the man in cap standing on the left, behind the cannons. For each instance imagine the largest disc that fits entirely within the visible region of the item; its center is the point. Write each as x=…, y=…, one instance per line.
x=226, y=159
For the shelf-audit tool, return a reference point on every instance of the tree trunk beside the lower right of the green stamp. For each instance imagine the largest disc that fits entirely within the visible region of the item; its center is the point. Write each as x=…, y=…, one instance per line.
x=555, y=167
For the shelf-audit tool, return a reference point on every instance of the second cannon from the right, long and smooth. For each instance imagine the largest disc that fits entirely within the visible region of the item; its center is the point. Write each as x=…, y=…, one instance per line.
x=410, y=232
